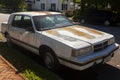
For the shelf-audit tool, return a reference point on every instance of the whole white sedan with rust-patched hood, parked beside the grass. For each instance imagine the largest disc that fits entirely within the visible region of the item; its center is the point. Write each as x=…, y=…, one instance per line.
x=57, y=40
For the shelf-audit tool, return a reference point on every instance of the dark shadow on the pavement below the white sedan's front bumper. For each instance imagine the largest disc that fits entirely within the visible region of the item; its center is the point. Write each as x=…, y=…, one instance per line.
x=100, y=72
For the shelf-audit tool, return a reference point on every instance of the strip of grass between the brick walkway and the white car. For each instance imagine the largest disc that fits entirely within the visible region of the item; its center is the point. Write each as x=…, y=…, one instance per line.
x=24, y=64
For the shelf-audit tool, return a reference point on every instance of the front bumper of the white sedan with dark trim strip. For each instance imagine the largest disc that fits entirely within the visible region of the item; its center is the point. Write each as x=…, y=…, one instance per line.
x=84, y=62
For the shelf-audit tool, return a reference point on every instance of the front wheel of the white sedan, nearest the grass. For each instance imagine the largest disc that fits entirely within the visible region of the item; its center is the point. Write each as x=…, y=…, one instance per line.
x=50, y=60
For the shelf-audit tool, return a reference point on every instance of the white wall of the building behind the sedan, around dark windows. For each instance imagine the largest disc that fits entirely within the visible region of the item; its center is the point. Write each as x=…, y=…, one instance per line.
x=37, y=4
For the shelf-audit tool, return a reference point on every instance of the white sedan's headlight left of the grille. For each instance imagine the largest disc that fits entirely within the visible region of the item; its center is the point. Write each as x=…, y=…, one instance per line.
x=82, y=51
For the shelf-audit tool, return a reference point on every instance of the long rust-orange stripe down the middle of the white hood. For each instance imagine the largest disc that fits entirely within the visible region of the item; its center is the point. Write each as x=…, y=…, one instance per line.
x=79, y=33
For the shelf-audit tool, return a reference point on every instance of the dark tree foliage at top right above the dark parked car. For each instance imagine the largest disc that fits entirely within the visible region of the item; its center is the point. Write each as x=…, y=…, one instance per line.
x=89, y=5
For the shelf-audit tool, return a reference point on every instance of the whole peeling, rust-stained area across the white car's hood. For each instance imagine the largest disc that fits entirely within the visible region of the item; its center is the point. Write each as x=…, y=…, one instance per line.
x=78, y=31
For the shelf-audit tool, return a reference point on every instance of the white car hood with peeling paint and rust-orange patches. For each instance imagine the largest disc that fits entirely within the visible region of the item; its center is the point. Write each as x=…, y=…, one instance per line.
x=77, y=35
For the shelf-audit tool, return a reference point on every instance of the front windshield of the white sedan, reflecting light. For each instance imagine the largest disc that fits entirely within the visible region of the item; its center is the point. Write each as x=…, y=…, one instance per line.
x=51, y=22
